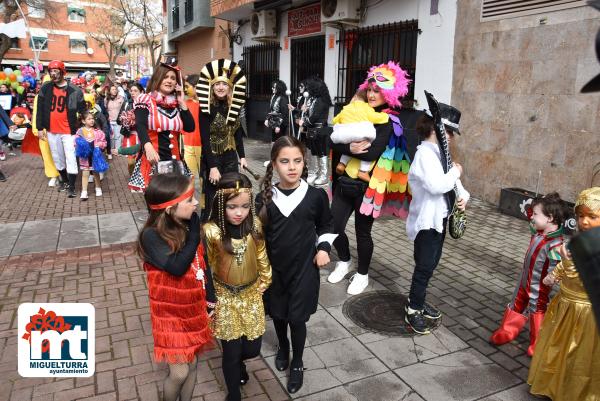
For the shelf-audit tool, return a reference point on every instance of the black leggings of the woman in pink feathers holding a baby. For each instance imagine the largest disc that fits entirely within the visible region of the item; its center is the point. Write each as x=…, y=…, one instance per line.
x=342, y=207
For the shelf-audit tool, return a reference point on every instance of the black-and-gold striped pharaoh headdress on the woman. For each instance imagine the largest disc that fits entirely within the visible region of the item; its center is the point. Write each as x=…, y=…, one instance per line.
x=222, y=70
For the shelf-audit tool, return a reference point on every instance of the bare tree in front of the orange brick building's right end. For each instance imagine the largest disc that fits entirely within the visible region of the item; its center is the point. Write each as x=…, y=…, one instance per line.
x=111, y=31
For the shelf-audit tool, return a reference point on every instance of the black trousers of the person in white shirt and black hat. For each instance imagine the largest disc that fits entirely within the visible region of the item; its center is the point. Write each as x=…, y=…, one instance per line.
x=427, y=254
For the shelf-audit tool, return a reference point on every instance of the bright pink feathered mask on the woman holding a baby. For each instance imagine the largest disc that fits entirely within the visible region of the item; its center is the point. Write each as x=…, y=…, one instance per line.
x=391, y=79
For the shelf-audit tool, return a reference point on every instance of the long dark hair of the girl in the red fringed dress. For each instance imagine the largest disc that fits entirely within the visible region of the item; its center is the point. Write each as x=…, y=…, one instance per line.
x=163, y=188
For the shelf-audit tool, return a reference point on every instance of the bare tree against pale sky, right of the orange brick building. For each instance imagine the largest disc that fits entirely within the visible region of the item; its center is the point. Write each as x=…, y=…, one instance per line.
x=146, y=17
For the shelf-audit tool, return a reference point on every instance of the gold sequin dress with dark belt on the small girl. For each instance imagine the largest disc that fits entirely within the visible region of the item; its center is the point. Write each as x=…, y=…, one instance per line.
x=237, y=279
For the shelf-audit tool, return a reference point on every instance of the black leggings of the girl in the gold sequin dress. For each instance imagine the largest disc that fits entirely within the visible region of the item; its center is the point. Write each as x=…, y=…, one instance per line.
x=234, y=353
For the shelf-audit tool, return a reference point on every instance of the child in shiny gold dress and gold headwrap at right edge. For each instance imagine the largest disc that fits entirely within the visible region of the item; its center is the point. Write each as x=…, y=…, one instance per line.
x=566, y=363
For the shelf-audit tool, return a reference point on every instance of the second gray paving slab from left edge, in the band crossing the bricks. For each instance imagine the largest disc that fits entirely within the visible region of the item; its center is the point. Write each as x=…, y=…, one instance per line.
x=37, y=236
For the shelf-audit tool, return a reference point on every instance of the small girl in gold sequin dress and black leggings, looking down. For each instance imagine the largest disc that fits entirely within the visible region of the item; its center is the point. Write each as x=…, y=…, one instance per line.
x=241, y=273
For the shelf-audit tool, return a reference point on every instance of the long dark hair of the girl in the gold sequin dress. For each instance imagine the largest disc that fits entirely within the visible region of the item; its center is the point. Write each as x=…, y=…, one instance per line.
x=217, y=213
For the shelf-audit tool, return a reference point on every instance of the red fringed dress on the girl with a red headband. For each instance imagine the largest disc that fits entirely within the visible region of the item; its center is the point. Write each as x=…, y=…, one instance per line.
x=178, y=310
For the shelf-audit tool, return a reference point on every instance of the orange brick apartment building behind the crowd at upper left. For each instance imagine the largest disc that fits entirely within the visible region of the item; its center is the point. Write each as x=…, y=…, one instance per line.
x=63, y=35
